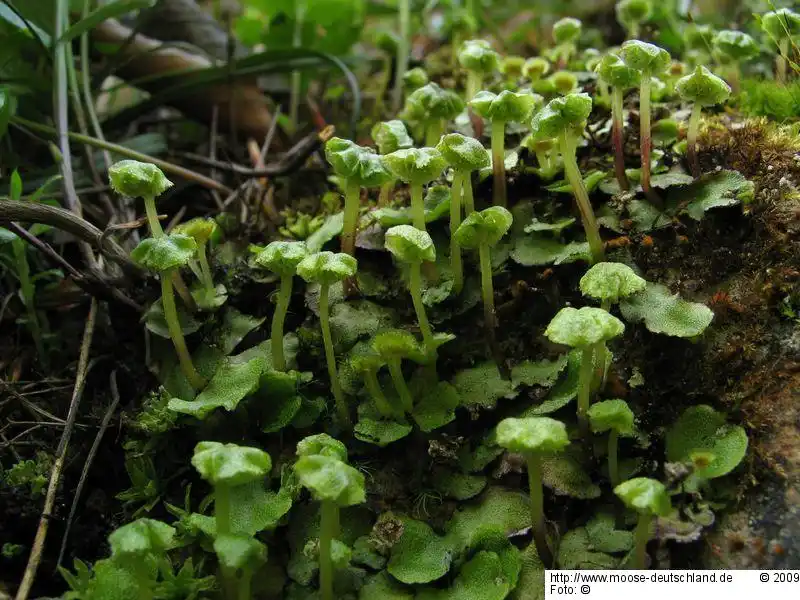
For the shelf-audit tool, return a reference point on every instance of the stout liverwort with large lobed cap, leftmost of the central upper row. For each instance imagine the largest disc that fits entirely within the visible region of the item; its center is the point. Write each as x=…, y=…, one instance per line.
x=358, y=167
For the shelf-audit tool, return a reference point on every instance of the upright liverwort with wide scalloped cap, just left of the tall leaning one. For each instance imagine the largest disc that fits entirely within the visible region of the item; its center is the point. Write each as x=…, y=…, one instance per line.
x=499, y=109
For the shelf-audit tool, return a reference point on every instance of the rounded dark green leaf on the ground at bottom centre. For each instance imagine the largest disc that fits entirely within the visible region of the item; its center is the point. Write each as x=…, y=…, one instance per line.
x=419, y=556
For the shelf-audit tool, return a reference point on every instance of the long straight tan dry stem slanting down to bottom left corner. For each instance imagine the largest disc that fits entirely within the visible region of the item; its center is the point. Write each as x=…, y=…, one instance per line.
x=58, y=464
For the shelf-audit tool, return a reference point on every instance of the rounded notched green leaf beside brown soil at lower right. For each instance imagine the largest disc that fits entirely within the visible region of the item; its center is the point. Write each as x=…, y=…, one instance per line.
x=702, y=429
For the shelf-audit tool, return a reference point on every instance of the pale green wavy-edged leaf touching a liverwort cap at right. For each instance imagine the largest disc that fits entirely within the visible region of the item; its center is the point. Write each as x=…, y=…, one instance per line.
x=665, y=313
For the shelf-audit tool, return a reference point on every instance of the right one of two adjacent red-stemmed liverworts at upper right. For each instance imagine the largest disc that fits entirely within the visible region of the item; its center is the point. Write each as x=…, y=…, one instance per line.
x=650, y=61
